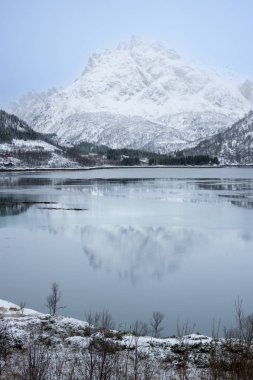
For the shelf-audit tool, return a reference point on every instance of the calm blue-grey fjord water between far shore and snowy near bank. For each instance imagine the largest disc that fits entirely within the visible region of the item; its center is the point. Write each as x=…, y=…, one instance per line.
x=176, y=240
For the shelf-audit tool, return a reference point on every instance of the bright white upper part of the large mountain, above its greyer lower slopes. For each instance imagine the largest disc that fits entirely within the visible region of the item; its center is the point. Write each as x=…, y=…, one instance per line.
x=149, y=80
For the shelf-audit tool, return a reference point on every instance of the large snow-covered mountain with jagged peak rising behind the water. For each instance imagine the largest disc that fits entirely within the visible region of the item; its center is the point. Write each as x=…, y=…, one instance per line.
x=139, y=95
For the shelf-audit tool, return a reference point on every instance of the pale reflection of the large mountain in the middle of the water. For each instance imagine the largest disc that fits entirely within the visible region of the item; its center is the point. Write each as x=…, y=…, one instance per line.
x=135, y=252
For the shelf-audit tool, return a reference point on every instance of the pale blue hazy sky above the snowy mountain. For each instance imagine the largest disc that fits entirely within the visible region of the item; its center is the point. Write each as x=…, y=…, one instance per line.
x=46, y=43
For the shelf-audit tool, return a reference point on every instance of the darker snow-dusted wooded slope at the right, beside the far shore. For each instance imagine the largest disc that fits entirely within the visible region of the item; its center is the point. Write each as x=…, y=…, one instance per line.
x=233, y=146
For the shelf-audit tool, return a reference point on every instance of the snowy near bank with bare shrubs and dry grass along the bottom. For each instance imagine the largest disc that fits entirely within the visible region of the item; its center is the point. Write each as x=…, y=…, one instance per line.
x=39, y=346
